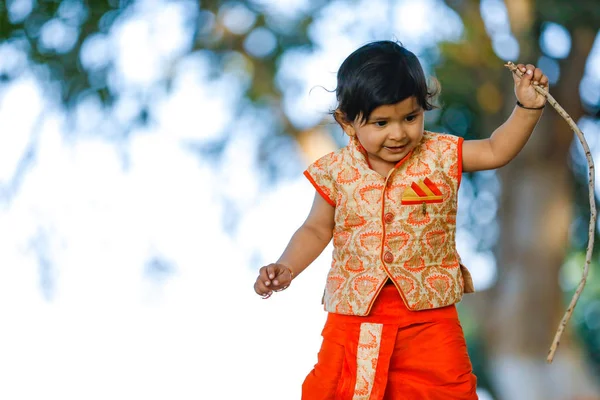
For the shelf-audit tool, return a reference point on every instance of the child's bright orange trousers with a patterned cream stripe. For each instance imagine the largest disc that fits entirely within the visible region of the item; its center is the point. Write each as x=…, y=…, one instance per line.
x=392, y=354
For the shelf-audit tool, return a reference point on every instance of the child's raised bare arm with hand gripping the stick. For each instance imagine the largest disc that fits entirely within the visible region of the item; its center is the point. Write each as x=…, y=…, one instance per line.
x=510, y=137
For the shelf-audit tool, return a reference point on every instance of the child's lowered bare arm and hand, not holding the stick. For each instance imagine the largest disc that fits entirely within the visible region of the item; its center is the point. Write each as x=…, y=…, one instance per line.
x=304, y=247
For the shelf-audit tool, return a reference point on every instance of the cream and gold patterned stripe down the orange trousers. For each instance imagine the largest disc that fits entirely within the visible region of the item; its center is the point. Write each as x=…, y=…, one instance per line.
x=367, y=354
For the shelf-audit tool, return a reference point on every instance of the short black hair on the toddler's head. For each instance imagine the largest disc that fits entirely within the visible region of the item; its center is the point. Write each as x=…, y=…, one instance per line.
x=380, y=73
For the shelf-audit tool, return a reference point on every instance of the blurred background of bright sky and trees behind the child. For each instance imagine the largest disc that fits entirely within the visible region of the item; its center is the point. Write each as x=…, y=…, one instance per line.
x=151, y=158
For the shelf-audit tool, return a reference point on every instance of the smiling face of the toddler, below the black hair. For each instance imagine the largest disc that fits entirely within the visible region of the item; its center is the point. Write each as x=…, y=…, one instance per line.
x=391, y=132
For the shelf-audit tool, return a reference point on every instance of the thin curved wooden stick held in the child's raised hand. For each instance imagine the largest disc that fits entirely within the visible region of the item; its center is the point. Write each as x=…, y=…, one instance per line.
x=592, y=226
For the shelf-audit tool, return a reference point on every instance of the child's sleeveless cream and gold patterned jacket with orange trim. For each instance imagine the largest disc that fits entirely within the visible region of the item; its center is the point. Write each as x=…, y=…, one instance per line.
x=401, y=227
